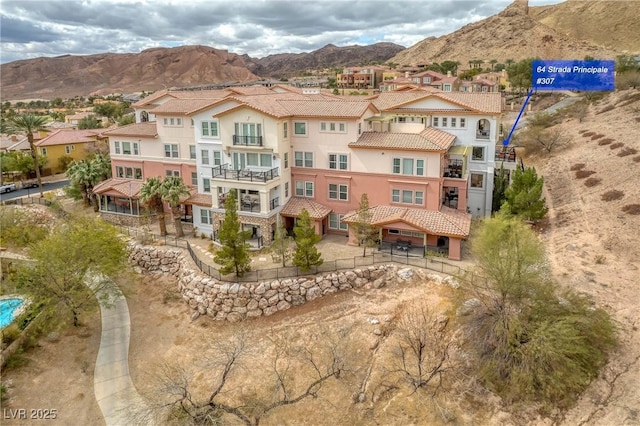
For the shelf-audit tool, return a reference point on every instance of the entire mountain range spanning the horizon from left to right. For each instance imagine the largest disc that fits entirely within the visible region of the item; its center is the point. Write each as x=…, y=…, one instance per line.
x=569, y=30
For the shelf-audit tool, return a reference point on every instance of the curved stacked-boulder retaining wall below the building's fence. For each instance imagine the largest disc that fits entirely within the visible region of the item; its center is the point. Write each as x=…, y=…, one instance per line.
x=238, y=301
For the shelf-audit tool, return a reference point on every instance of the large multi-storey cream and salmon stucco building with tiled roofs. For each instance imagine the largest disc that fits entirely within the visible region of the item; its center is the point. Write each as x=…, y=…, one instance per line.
x=424, y=158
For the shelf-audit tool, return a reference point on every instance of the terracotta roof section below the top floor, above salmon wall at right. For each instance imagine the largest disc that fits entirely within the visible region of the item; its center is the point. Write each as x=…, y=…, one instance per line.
x=429, y=139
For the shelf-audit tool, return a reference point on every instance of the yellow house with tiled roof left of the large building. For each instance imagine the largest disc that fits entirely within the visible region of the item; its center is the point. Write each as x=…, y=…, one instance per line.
x=65, y=145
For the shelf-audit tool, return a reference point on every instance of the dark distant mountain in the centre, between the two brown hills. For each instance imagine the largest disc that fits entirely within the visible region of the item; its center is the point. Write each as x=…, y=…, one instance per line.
x=330, y=56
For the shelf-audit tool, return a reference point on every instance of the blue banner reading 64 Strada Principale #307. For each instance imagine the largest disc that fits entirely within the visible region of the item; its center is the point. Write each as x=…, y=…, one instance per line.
x=592, y=75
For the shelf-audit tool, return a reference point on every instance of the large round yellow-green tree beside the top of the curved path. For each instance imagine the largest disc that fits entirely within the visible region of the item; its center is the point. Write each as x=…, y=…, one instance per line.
x=80, y=252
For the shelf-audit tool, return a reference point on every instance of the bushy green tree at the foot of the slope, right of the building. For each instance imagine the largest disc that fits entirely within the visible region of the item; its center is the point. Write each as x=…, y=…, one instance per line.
x=524, y=196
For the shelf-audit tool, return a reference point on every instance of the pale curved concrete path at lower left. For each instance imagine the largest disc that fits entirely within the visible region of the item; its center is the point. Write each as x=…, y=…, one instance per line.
x=114, y=389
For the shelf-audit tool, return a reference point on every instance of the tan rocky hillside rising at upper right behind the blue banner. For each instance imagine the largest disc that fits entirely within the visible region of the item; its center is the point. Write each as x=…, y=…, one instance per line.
x=520, y=32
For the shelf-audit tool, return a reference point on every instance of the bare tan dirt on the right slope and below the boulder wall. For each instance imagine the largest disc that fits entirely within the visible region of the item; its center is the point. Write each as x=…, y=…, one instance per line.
x=593, y=246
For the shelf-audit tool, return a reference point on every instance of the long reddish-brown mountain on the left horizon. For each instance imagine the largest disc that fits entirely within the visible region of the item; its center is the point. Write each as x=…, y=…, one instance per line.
x=152, y=69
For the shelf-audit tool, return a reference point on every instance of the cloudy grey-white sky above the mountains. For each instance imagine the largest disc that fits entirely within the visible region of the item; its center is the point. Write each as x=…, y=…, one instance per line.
x=34, y=28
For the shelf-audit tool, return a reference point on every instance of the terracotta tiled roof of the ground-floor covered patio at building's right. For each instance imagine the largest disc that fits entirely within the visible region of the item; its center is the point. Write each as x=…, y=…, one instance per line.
x=447, y=222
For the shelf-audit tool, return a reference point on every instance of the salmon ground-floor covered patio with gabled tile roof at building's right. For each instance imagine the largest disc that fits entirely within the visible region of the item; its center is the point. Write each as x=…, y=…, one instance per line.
x=415, y=232
